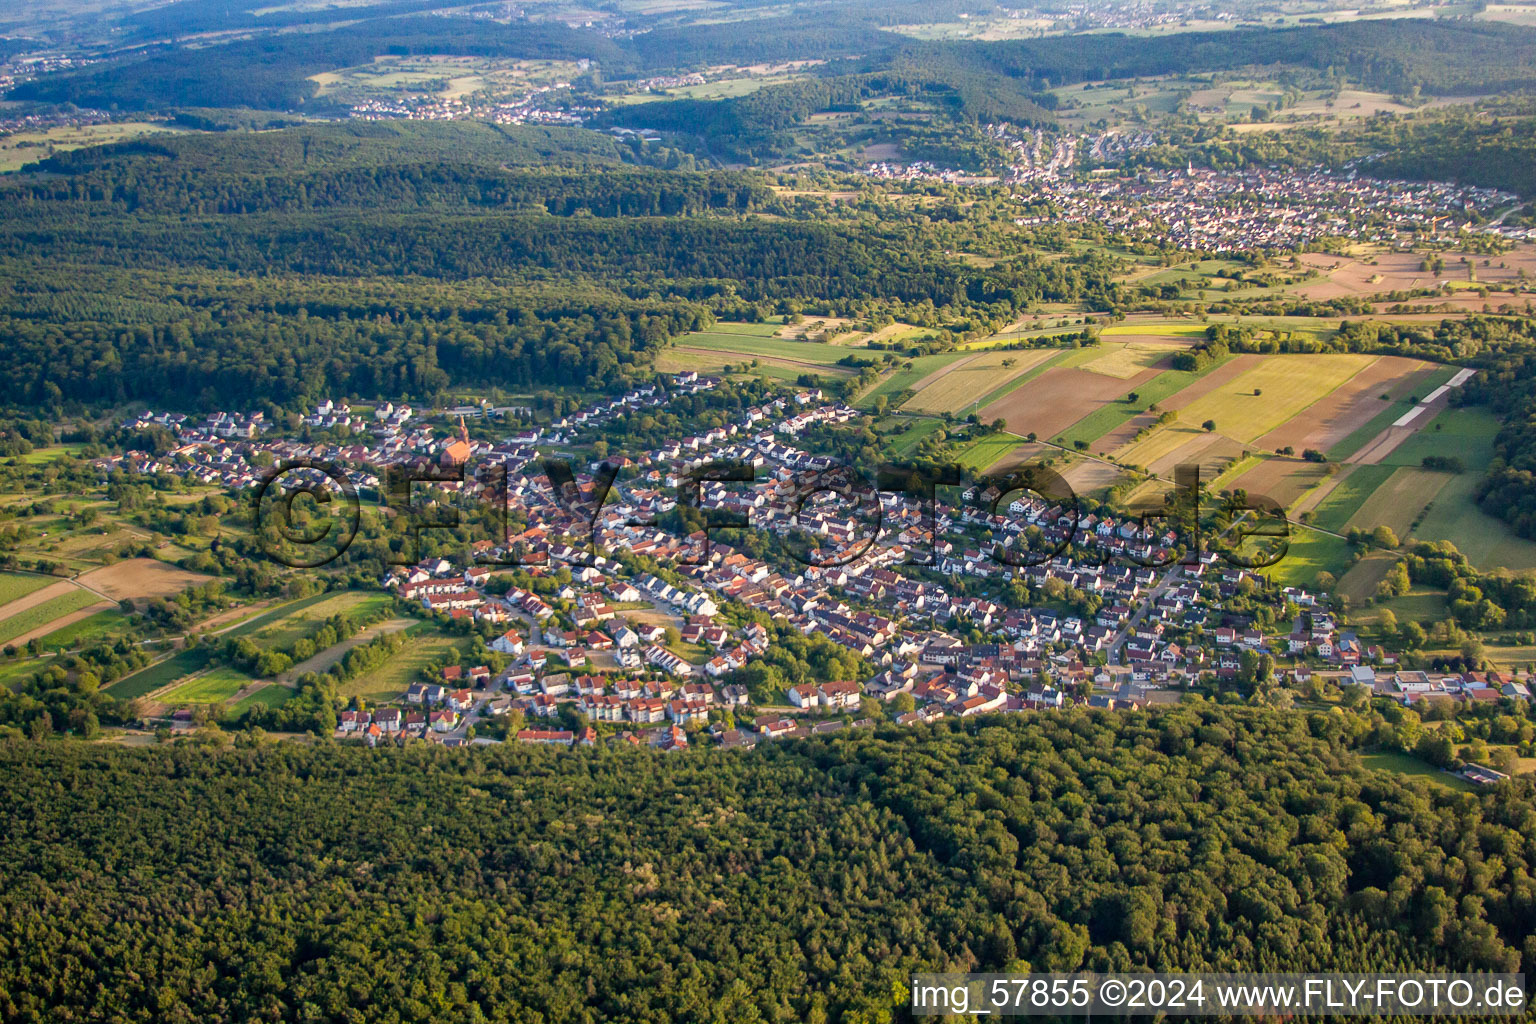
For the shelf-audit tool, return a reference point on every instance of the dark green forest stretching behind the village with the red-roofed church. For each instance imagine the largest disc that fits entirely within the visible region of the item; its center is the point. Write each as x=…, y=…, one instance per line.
x=396, y=262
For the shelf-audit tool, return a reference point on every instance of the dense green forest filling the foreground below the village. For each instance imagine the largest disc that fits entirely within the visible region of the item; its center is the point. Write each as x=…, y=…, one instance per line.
x=804, y=882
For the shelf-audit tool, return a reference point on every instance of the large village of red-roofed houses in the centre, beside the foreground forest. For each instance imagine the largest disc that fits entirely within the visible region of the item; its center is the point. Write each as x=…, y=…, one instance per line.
x=607, y=646
